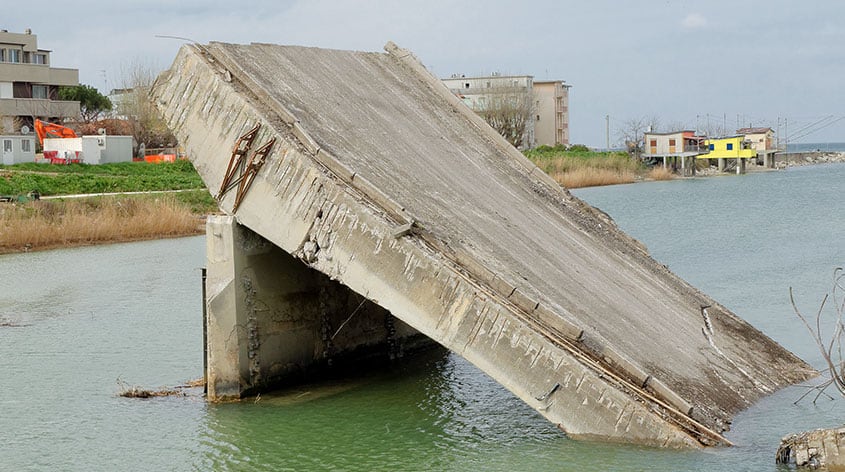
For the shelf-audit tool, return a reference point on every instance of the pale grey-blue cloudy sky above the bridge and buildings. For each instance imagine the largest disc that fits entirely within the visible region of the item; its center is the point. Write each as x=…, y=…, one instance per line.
x=692, y=64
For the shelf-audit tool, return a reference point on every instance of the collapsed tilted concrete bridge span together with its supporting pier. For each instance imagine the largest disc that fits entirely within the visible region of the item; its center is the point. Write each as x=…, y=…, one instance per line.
x=367, y=204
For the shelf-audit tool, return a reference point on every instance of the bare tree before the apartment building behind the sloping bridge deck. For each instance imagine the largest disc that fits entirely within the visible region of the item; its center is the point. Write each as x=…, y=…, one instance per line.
x=509, y=110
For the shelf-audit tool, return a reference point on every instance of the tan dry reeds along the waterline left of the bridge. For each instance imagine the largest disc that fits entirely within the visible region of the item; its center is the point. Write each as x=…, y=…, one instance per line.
x=46, y=224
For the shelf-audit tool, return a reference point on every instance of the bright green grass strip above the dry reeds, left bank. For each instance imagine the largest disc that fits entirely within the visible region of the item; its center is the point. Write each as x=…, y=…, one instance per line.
x=71, y=179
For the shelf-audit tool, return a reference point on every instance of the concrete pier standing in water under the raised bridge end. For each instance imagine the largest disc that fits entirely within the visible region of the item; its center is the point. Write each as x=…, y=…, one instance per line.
x=274, y=321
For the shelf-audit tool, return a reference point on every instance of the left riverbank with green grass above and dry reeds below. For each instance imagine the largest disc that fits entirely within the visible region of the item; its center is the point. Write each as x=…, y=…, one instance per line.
x=146, y=201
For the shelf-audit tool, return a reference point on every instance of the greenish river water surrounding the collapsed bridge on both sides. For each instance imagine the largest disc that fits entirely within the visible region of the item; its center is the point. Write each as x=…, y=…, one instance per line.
x=75, y=323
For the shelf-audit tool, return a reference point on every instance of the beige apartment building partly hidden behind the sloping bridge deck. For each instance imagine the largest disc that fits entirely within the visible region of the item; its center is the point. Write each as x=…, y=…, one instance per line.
x=540, y=110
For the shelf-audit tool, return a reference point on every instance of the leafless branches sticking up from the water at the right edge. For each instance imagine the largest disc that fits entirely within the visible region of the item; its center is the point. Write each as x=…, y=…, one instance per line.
x=831, y=350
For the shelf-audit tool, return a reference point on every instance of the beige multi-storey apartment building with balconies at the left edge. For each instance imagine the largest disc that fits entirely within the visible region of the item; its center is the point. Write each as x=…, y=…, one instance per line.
x=29, y=86
